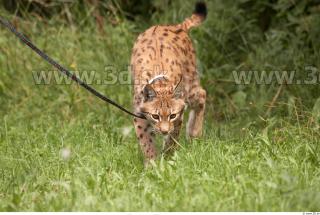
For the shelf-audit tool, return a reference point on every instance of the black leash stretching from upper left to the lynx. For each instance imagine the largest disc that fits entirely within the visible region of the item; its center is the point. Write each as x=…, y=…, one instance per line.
x=26, y=41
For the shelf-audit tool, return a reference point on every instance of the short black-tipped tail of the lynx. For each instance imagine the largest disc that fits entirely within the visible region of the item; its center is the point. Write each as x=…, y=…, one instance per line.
x=198, y=16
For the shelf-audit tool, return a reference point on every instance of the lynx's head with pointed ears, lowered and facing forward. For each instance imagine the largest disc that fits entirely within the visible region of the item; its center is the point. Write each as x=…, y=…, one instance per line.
x=163, y=106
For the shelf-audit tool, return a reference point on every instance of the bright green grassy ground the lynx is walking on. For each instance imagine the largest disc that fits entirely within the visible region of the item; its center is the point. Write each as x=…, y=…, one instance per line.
x=62, y=149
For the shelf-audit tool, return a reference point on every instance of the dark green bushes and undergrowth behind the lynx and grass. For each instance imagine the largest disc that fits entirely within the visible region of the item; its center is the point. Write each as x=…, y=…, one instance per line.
x=270, y=35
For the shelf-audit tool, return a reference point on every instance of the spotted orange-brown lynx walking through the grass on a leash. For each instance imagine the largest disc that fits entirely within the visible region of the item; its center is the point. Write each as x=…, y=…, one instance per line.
x=163, y=67
